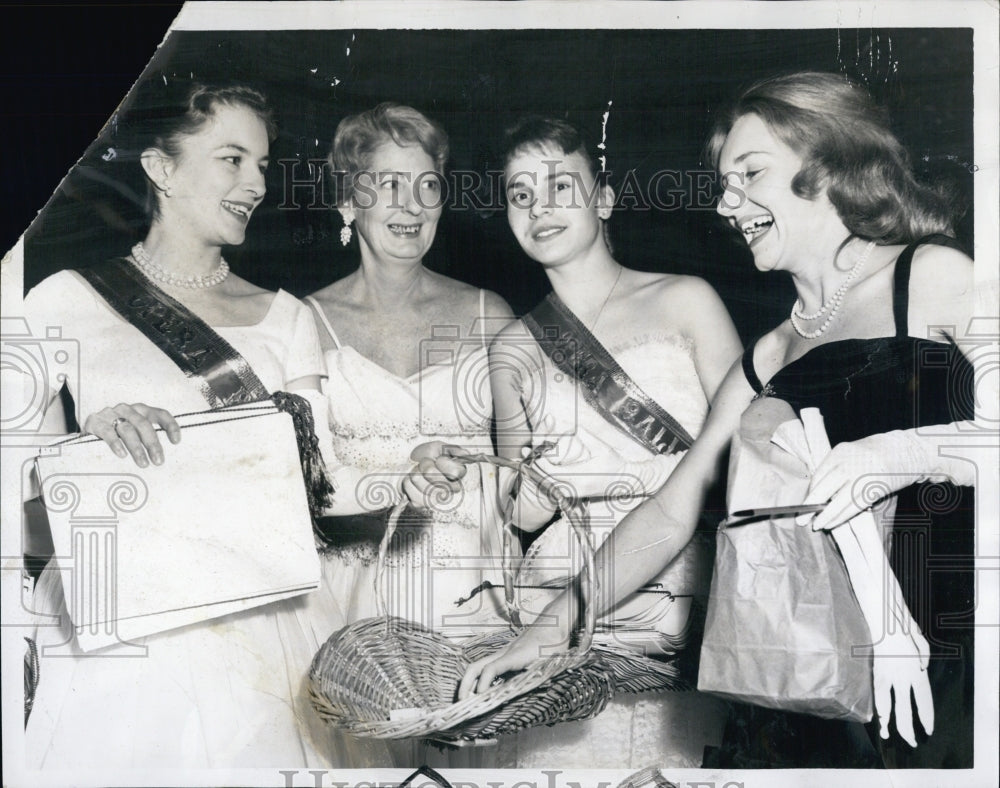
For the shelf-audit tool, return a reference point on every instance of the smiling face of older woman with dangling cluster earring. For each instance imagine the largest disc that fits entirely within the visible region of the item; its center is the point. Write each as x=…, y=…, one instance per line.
x=397, y=203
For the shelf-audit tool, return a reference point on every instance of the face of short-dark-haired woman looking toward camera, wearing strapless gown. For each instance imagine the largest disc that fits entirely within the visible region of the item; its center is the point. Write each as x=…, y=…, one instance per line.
x=553, y=205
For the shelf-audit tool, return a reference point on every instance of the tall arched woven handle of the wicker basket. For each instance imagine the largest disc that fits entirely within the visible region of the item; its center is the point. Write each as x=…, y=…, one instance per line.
x=574, y=510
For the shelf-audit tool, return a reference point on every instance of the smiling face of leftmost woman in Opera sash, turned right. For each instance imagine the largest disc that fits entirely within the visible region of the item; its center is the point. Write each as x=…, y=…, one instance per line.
x=217, y=178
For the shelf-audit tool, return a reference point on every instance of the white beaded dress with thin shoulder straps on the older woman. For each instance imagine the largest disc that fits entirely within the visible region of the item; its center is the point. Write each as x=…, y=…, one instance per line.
x=440, y=555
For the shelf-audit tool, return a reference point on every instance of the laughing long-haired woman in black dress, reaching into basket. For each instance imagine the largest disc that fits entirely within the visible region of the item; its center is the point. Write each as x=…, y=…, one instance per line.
x=819, y=187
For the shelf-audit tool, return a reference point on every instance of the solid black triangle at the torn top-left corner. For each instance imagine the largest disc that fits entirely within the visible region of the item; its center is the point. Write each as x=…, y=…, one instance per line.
x=63, y=70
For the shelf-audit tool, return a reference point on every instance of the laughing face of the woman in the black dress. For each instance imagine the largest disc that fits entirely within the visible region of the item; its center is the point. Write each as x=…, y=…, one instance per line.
x=783, y=230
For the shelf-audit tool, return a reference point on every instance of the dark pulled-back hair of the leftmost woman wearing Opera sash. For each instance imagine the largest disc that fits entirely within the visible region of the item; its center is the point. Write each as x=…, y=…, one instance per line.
x=164, y=113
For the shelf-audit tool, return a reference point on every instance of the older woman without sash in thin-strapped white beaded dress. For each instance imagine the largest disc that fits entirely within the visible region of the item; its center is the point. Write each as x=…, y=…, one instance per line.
x=406, y=355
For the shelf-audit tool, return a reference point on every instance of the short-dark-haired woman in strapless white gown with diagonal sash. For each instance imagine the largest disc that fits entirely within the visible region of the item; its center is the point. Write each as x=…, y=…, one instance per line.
x=673, y=338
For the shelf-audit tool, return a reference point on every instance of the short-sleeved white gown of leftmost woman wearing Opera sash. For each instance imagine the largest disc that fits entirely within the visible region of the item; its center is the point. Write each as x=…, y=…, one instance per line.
x=227, y=693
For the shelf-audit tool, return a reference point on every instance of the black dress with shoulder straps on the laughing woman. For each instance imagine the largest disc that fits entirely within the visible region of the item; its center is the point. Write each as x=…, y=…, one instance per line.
x=863, y=387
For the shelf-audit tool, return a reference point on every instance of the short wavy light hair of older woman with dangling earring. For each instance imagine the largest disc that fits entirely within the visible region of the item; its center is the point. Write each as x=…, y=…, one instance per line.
x=358, y=136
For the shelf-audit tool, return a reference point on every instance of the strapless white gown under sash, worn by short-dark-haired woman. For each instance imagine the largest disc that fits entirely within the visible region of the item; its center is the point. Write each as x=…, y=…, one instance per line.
x=666, y=729
